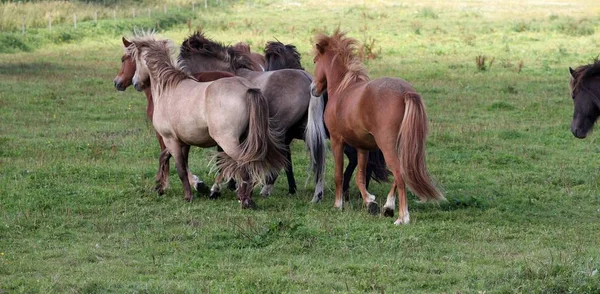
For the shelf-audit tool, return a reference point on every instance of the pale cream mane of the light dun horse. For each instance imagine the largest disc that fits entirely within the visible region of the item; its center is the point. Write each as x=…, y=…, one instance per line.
x=157, y=54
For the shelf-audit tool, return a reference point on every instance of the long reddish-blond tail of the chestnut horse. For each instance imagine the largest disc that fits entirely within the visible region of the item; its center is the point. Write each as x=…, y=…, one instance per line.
x=410, y=146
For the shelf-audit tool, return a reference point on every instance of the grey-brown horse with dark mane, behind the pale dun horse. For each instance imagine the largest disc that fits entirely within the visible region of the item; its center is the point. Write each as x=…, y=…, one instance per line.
x=287, y=91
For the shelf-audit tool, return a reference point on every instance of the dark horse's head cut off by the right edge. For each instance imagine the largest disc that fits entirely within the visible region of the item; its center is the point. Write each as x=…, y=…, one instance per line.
x=585, y=91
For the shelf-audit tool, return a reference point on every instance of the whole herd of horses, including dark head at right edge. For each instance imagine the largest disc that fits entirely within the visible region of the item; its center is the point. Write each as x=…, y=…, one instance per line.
x=251, y=107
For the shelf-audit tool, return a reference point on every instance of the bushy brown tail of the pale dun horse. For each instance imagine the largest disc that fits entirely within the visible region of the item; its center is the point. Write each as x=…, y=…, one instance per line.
x=261, y=151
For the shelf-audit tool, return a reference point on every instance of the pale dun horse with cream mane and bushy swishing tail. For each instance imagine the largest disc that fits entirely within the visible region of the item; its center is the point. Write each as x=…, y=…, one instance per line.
x=227, y=112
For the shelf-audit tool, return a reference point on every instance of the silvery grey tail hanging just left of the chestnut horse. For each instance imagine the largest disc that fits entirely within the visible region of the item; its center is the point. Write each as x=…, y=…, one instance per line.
x=315, y=136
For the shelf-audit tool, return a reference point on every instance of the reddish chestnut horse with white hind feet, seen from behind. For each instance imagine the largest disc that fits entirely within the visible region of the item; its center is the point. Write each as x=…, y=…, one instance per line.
x=366, y=114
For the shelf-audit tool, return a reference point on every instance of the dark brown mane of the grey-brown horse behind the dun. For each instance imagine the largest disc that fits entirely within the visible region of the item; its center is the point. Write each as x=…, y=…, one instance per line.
x=198, y=44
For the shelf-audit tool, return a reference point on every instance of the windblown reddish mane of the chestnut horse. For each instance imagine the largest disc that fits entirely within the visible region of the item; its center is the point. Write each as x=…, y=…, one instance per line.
x=343, y=48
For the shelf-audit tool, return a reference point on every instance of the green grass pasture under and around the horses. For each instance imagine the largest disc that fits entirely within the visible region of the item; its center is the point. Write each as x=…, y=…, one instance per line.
x=77, y=162
